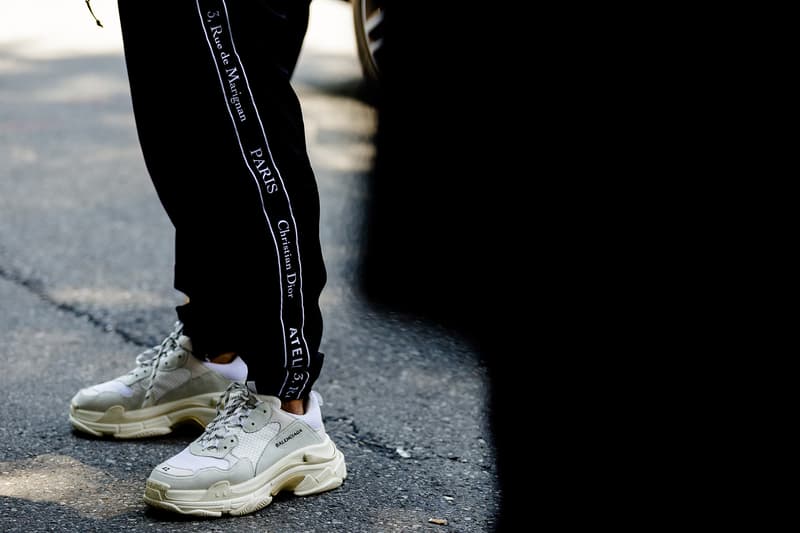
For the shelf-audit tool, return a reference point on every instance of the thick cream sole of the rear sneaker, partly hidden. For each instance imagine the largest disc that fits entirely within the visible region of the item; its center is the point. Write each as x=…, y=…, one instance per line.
x=147, y=422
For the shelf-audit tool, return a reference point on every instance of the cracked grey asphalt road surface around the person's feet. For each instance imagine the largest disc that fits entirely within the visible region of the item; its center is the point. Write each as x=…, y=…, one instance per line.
x=86, y=283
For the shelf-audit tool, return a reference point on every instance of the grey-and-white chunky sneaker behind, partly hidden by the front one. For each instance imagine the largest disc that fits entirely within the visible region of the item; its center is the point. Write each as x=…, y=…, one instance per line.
x=168, y=386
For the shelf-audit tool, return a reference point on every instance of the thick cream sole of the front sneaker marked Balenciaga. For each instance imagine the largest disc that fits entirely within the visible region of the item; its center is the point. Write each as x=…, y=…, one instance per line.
x=306, y=471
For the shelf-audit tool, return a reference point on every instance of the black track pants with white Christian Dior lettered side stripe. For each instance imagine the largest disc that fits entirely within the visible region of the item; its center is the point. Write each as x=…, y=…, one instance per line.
x=222, y=134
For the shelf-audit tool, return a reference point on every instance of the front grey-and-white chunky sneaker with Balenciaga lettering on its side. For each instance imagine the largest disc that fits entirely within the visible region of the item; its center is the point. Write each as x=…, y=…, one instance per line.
x=251, y=451
